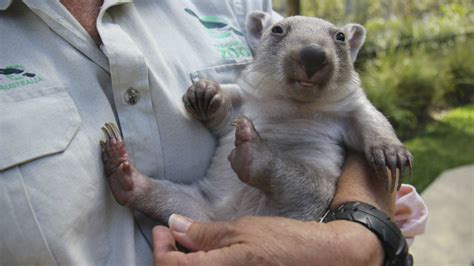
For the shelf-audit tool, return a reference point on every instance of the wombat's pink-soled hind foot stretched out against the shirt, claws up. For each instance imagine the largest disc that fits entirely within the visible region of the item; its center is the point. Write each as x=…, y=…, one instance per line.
x=126, y=183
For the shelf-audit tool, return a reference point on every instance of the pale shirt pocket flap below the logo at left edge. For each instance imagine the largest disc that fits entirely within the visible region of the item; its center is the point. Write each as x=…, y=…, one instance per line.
x=35, y=123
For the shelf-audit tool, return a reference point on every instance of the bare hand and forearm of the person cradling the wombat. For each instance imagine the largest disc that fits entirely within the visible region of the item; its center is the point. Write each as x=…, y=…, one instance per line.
x=275, y=240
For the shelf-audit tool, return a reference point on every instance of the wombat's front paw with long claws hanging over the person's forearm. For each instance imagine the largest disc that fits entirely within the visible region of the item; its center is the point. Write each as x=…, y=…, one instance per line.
x=392, y=156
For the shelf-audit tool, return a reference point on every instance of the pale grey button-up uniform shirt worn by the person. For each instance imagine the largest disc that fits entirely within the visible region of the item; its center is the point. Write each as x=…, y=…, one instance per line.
x=57, y=88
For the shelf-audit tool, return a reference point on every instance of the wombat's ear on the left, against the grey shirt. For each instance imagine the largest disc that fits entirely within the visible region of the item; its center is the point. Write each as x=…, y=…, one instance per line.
x=257, y=22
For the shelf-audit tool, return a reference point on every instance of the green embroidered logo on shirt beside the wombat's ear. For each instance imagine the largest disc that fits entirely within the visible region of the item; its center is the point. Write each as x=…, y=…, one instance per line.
x=229, y=40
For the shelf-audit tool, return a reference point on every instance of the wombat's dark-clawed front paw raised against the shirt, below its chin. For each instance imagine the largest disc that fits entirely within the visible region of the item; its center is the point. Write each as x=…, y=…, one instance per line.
x=203, y=99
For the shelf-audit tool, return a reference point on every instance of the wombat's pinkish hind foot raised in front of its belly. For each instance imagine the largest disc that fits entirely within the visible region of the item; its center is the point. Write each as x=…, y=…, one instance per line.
x=250, y=155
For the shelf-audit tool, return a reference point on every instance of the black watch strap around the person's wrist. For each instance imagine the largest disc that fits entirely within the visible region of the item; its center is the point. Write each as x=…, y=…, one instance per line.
x=393, y=242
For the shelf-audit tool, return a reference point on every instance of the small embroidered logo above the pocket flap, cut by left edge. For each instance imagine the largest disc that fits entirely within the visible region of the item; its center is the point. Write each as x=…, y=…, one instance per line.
x=15, y=76
